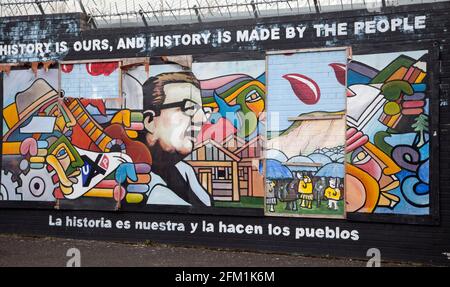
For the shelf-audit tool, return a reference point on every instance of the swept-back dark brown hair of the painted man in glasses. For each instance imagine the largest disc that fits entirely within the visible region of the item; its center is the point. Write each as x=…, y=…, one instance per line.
x=153, y=88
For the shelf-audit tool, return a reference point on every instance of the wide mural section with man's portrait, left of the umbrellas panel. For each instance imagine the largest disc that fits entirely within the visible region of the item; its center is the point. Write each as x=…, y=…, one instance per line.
x=176, y=140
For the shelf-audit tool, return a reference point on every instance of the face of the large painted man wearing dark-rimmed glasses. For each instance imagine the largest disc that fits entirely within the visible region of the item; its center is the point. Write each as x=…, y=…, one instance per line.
x=176, y=128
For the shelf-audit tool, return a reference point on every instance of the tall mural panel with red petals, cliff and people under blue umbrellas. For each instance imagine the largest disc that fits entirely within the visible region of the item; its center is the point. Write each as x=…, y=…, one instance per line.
x=306, y=134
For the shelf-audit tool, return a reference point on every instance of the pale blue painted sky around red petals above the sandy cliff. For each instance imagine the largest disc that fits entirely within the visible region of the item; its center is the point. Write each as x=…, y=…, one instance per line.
x=314, y=65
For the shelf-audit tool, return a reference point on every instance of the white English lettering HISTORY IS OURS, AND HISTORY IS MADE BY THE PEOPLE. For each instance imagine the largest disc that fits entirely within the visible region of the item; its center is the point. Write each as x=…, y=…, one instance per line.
x=148, y=41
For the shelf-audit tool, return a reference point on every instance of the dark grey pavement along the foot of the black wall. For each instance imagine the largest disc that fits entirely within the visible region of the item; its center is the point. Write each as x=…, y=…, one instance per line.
x=44, y=251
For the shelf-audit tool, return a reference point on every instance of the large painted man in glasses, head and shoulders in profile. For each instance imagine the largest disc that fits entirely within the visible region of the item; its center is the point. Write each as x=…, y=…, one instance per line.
x=173, y=116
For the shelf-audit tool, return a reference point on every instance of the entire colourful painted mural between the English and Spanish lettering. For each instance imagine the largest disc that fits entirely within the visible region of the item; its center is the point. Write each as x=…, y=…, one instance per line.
x=205, y=134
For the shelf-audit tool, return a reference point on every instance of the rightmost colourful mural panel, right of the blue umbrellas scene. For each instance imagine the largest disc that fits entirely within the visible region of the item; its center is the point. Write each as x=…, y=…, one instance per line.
x=387, y=135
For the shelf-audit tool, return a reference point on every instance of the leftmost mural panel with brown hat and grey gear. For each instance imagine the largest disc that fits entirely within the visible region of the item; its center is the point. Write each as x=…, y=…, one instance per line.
x=25, y=95
